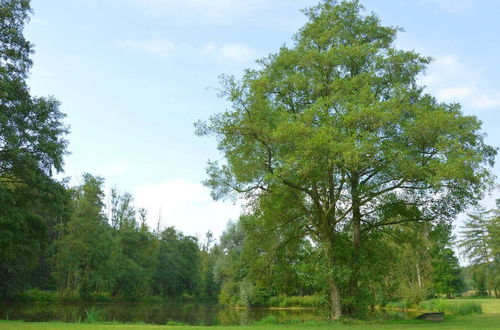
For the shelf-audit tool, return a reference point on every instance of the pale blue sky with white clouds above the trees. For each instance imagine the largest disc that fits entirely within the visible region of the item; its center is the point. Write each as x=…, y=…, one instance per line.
x=134, y=75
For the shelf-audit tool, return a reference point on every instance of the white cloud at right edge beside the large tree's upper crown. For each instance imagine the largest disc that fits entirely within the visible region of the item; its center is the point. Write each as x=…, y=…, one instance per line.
x=451, y=81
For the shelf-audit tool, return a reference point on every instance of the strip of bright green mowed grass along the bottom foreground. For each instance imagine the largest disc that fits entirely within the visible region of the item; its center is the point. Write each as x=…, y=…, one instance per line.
x=490, y=319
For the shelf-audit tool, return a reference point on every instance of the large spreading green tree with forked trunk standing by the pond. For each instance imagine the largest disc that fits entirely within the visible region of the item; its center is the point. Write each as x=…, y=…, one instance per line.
x=336, y=131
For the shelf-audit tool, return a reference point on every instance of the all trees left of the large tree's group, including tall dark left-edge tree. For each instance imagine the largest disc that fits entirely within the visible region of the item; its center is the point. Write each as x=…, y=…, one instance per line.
x=59, y=238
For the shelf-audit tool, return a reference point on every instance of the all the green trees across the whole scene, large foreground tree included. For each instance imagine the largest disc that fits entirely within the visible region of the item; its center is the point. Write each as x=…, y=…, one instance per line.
x=352, y=177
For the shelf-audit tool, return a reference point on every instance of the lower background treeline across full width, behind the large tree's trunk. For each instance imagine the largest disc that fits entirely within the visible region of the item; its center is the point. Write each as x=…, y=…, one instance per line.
x=82, y=248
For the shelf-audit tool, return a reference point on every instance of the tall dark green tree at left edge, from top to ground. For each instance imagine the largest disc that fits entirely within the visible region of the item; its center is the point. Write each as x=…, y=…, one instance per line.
x=32, y=145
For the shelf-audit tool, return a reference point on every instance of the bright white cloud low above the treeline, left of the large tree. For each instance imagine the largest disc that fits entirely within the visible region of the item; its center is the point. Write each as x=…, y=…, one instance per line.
x=186, y=205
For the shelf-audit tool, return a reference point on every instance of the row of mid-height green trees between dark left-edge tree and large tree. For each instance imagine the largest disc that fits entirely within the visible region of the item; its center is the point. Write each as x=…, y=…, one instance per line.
x=120, y=255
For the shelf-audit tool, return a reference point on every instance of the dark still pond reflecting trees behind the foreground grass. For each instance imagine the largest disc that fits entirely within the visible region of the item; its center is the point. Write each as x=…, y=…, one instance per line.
x=200, y=313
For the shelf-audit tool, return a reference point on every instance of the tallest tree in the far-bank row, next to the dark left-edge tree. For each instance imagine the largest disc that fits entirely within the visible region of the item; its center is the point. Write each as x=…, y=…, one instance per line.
x=82, y=261
